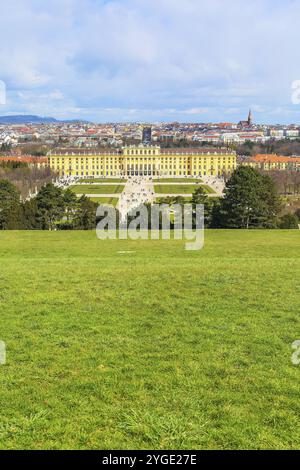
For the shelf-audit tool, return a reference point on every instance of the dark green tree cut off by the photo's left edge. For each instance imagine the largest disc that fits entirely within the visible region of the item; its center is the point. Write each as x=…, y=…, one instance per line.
x=10, y=206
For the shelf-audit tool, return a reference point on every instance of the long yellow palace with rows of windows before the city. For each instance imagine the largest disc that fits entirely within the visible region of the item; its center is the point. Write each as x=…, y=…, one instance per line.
x=143, y=160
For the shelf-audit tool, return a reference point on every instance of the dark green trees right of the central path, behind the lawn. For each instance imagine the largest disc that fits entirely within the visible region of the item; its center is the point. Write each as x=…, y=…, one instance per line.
x=251, y=200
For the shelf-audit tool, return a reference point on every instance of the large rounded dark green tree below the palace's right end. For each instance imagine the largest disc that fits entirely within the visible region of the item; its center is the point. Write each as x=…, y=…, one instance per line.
x=250, y=201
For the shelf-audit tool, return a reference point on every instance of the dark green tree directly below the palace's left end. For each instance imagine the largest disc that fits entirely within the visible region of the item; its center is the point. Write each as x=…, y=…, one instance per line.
x=51, y=206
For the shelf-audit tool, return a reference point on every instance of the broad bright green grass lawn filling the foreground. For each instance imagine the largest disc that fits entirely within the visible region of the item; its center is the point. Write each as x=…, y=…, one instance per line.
x=141, y=344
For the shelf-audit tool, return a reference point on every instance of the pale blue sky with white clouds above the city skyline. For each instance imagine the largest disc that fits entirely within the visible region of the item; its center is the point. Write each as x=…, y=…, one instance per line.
x=151, y=60
